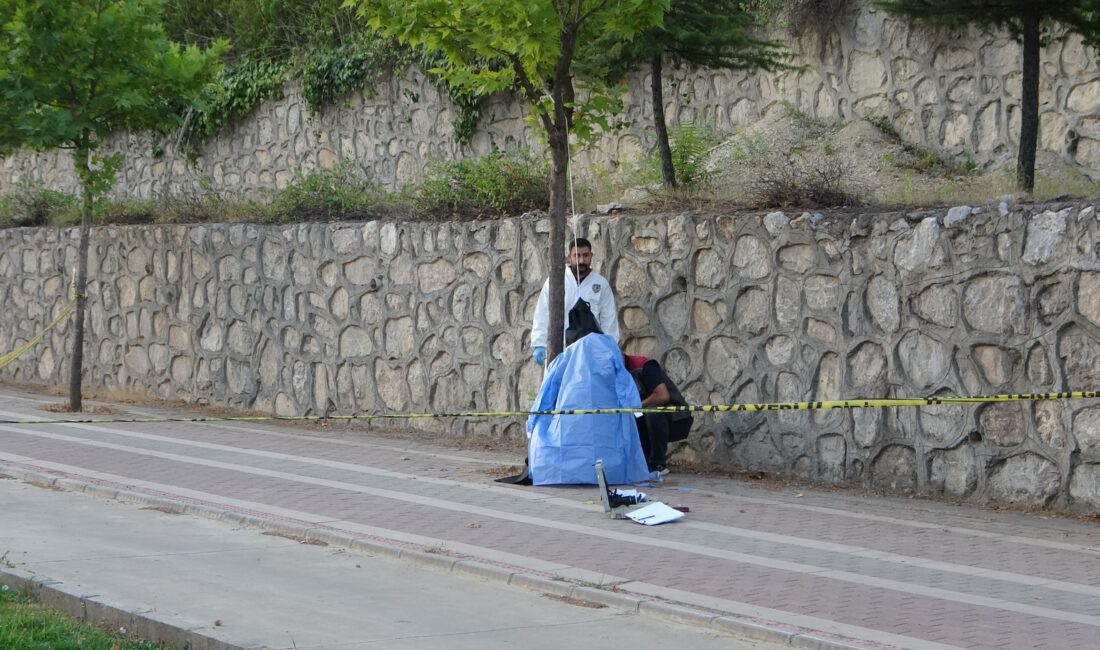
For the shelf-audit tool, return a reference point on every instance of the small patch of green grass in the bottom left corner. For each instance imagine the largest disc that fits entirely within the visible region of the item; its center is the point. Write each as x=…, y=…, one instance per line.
x=26, y=625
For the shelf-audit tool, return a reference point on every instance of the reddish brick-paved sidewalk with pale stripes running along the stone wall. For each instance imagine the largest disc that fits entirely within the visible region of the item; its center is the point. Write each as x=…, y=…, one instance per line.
x=807, y=569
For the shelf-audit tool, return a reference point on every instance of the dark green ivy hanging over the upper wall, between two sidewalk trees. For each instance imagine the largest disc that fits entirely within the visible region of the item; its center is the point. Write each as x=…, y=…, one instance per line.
x=318, y=42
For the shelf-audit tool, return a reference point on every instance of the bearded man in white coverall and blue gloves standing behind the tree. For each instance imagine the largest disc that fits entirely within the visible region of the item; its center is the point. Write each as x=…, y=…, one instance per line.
x=584, y=284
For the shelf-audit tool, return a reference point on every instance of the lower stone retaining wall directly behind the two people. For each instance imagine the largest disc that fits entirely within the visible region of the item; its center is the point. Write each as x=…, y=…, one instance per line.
x=361, y=317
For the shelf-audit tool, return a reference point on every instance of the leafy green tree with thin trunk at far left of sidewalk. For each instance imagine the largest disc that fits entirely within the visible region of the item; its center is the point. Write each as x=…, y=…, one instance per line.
x=73, y=73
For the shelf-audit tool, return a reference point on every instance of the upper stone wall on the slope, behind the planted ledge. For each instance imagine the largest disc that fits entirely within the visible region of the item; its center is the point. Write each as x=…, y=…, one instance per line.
x=961, y=95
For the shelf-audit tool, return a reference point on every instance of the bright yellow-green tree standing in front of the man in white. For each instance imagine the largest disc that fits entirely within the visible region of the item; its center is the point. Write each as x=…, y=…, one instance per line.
x=529, y=47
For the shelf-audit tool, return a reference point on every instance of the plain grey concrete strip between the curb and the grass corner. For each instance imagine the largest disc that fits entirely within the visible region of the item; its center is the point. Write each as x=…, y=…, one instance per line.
x=211, y=586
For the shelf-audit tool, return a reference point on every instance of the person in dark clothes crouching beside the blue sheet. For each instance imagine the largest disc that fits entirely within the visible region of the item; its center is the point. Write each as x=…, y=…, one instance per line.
x=657, y=431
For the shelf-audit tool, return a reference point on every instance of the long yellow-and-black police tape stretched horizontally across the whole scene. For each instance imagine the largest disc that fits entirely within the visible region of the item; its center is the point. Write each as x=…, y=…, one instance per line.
x=826, y=405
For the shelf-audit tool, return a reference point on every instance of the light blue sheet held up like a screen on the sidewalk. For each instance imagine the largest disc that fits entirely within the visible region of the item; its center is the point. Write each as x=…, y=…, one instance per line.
x=564, y=449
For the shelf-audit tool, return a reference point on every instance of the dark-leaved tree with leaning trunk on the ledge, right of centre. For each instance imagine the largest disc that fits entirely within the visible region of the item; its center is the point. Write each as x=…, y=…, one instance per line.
x=701, y=34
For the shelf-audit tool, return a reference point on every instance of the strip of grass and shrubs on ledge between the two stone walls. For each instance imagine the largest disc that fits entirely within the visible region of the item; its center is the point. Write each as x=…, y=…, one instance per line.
x=511, y=183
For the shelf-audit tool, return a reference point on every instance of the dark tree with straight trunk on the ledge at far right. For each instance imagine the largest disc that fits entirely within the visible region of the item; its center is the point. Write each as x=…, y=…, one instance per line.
x=1026, y=20
